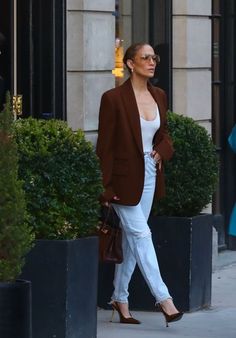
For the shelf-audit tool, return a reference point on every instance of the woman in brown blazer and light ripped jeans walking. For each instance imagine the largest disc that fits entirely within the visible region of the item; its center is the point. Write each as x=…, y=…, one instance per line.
x=132, y=144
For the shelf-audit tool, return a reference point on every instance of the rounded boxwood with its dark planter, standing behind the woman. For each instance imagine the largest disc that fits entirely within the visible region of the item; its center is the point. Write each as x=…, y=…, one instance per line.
x=182, y=236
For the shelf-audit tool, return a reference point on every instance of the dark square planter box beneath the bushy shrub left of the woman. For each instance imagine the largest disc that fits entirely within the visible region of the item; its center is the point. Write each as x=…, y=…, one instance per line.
x=64, y=287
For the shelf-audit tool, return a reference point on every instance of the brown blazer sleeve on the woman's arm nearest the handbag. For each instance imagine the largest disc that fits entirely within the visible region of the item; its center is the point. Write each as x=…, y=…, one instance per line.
x=105, y=145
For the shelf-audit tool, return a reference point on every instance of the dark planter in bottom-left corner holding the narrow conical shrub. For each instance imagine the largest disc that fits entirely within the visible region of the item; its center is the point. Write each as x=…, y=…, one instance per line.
x=15, y=310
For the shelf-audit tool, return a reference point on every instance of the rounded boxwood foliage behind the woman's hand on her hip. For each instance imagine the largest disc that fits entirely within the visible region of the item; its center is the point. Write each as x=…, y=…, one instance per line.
x=192, y=173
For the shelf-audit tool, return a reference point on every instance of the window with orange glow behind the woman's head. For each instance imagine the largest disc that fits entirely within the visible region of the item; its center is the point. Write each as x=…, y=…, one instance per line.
x=145, y=21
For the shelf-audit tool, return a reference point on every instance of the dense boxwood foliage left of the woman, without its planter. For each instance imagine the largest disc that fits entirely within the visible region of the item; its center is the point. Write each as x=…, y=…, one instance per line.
x=61, y=176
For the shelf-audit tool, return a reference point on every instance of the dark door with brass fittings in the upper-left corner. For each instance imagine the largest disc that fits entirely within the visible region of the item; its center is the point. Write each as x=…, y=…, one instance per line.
x=33, y=61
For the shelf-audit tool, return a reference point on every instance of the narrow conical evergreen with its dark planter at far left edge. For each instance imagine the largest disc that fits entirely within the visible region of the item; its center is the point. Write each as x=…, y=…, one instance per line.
x=16, y=237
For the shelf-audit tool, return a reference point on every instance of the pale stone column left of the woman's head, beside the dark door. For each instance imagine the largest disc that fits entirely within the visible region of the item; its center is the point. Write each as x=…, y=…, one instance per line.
x=90, y=60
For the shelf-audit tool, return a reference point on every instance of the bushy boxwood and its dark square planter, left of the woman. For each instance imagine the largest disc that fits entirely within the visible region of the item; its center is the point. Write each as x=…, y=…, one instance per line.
x=62, y=183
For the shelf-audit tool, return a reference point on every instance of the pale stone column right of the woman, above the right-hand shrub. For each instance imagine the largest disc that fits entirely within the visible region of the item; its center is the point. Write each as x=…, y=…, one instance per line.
x=192, y=60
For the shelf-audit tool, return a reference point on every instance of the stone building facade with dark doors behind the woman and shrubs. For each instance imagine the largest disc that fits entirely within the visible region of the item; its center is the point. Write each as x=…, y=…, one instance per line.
x=62, y=55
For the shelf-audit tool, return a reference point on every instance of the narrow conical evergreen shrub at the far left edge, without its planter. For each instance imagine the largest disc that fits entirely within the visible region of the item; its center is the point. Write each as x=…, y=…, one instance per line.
x=16, y=235
